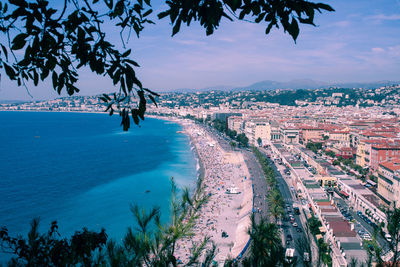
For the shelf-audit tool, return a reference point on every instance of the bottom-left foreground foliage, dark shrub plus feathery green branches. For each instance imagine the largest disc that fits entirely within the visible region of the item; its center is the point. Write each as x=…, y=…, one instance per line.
x=148, y=244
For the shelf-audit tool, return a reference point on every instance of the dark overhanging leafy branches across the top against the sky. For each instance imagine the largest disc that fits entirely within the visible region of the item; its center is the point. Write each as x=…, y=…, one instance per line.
x=56, y=42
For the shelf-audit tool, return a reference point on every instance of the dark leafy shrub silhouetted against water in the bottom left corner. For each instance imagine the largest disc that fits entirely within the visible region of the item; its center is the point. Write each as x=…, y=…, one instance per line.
x=49, y=250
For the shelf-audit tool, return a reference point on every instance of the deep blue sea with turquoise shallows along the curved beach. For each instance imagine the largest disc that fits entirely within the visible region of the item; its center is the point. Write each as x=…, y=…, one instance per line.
x=82, y=170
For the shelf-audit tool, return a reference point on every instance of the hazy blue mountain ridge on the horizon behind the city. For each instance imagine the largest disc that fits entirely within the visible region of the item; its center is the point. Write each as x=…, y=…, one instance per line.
x=293, y=85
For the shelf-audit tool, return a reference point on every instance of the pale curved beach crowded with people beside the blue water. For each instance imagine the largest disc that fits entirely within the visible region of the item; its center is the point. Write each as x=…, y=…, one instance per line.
x=230, y=213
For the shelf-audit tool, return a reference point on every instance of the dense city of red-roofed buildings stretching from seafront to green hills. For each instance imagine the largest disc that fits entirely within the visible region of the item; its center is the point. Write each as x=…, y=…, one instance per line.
x=338, y=151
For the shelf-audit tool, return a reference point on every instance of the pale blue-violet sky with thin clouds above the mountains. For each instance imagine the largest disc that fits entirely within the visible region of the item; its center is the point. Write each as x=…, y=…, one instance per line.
x=359, y=42
